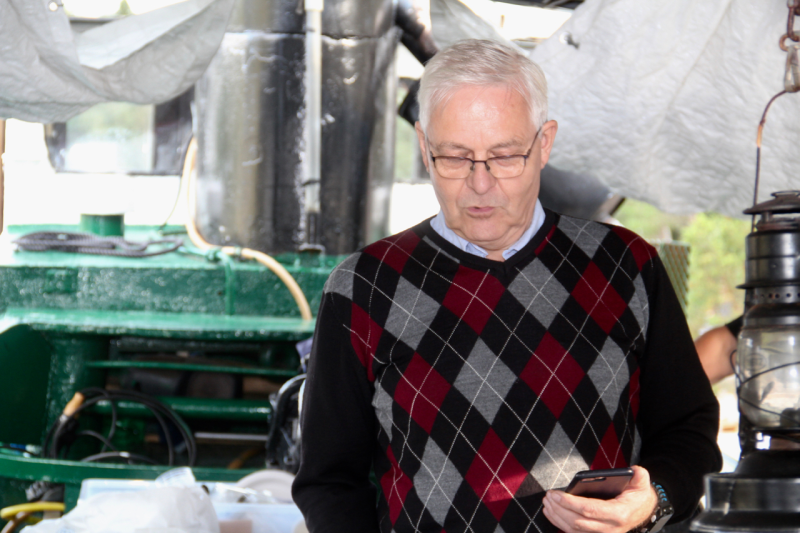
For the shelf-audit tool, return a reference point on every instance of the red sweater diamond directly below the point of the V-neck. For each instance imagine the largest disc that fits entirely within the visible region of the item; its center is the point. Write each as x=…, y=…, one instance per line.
x=473, y=296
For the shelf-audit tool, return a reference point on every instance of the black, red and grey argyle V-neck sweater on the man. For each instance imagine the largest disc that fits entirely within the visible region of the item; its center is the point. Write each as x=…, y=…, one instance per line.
x=470, y=386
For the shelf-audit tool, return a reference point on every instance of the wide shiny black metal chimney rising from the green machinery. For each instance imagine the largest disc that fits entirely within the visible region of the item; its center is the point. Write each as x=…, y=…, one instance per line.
x=251, y=125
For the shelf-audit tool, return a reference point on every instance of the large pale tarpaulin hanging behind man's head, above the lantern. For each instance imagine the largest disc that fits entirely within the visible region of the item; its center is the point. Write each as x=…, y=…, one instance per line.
x=662, y=100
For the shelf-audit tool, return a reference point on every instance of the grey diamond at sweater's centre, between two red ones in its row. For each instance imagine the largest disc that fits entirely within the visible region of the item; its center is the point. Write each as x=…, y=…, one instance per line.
x=484, y=380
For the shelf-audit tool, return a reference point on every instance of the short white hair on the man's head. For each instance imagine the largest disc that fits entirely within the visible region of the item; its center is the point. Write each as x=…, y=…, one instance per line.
x=481, y=63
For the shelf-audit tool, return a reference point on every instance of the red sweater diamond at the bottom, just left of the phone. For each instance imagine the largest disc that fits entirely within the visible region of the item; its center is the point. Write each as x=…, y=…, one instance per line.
x=495, y=474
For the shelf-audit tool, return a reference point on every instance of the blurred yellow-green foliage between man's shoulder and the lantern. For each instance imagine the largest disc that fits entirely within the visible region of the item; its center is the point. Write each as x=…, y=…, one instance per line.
x=716, y=259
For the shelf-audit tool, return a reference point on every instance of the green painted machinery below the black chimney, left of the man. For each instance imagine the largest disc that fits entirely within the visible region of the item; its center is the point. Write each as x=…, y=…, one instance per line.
x=70, y=321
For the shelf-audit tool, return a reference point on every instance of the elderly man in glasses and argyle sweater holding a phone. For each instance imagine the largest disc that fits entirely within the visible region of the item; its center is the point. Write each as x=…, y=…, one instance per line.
x=475, y=362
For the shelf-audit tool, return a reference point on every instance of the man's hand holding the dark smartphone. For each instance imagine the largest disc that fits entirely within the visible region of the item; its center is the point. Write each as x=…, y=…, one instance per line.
x=633, y=506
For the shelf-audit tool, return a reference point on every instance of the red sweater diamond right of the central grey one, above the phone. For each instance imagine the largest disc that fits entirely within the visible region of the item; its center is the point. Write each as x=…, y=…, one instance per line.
x=550, y=359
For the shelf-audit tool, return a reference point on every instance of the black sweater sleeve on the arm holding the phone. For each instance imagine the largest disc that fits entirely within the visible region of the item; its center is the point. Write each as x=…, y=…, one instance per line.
x=679, y=414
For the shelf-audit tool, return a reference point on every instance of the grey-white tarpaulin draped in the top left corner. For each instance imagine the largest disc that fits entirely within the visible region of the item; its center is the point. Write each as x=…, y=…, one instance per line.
x=49, y=73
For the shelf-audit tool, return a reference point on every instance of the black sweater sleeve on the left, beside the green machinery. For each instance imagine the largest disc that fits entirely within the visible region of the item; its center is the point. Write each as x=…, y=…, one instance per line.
x=332, y=487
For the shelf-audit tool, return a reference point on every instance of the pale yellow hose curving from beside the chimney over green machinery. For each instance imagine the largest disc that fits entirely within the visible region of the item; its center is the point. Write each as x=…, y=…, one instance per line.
x=266, y=260
